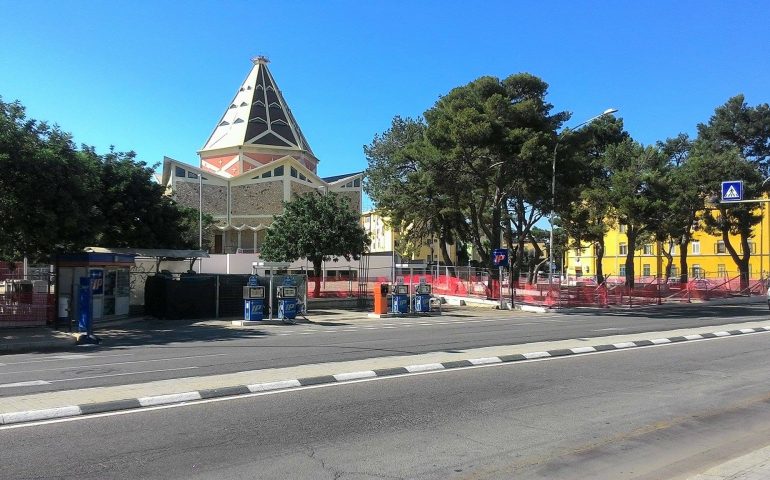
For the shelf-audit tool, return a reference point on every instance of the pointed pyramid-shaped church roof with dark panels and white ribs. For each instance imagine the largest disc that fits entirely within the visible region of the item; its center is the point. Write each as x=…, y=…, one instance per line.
x=258, y=116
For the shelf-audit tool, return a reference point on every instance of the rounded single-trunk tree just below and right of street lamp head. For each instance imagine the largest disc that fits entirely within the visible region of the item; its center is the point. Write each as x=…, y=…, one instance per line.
x=637, y=192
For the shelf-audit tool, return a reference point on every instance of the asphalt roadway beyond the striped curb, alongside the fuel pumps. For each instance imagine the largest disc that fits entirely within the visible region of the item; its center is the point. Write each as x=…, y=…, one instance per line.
x=150, y=351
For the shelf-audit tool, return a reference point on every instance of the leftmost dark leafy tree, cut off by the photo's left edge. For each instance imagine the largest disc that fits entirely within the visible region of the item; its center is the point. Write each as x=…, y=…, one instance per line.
x=47, y=189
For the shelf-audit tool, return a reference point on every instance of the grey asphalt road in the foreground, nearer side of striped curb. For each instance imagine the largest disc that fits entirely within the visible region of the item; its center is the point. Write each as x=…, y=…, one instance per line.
x=650, y=413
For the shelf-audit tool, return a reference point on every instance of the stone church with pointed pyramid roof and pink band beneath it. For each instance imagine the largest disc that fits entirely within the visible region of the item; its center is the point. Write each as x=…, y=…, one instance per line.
x=255, y=159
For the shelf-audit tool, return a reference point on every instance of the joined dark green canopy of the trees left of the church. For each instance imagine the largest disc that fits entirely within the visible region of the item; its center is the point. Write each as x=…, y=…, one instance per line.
x=55, y=197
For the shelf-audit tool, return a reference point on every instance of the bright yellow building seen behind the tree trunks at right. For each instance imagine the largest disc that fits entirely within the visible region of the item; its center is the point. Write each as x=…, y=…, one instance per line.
x=707, y=256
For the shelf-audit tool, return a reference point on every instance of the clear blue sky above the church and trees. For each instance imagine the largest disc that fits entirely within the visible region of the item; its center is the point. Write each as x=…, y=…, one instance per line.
x=155, y=76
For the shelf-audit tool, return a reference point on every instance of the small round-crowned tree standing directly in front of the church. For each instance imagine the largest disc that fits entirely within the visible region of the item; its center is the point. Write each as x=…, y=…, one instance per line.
x=317, y=227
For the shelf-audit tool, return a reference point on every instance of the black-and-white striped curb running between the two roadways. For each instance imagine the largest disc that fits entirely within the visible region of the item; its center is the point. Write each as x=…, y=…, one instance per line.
x=178, y=398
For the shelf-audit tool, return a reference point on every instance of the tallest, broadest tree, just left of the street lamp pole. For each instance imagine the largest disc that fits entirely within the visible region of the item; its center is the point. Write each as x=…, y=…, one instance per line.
x=494, y=138
